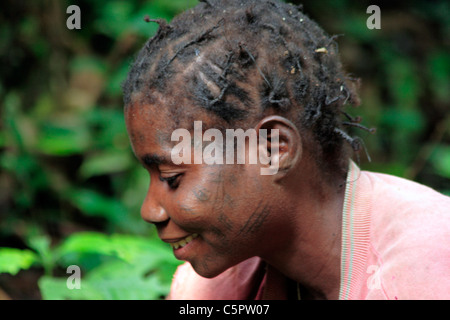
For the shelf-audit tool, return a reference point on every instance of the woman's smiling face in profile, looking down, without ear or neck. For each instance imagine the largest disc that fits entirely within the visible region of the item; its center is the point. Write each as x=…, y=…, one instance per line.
x=214, y=216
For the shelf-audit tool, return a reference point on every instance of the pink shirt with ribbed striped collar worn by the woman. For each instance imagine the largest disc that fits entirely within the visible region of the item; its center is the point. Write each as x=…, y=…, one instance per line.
x=395, y=245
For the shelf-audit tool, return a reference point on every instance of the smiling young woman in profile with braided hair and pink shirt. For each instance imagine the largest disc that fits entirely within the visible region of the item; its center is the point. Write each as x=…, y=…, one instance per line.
x=317, y=228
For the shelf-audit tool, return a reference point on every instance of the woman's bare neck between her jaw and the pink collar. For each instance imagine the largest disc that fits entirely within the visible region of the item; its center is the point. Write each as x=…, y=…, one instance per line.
x=311, y=253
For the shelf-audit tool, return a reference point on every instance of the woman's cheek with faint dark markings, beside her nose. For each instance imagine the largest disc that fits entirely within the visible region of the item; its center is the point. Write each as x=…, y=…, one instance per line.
x=223, y=202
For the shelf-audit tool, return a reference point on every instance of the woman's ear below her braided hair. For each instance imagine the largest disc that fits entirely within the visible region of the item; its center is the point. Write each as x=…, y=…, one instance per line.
x=283, y=147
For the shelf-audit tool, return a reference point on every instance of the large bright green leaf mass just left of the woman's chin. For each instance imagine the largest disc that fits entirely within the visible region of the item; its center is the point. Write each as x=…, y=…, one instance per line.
x=139, y=268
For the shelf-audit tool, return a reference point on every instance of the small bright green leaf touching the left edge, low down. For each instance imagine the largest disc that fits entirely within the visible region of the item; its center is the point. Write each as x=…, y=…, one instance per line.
x=13, y=260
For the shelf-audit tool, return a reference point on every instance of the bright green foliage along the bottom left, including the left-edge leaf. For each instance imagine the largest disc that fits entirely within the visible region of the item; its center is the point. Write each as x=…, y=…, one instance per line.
x=118, y=267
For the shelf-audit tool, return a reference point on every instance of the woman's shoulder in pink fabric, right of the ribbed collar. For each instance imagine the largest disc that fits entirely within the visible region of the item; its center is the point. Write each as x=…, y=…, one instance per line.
x=410, y=231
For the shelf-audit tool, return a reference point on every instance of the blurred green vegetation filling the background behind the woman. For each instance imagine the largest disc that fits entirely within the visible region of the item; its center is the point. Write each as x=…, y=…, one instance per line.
x=70, y=189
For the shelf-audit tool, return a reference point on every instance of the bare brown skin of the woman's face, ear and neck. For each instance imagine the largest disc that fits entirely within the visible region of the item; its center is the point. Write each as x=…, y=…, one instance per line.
x=292, y=219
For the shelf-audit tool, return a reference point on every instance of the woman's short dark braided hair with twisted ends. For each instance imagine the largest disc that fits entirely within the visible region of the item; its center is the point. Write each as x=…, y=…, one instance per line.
x=240, y=60
